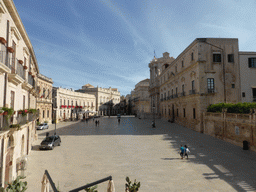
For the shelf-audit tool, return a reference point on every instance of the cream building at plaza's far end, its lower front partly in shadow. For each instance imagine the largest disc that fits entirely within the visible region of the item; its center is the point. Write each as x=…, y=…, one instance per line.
x=106, y=99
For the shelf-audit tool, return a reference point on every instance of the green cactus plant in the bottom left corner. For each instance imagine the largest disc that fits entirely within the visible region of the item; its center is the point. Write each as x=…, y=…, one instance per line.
x=16, y=186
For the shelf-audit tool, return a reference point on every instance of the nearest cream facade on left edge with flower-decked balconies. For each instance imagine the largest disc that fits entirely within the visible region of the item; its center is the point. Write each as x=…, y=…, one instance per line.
x=18, y=76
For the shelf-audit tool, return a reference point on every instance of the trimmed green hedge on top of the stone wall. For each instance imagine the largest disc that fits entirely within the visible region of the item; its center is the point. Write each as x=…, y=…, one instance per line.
x=232, y=108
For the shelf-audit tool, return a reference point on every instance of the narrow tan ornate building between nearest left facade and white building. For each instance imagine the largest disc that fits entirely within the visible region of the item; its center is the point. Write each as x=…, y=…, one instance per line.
x=44, y=99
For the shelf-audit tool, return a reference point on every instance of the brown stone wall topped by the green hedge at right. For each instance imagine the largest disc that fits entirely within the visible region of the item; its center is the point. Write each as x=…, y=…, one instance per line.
x=234, y=128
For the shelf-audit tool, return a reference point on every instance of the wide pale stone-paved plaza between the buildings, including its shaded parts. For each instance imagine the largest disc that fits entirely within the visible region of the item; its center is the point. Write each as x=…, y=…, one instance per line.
x=132, y=148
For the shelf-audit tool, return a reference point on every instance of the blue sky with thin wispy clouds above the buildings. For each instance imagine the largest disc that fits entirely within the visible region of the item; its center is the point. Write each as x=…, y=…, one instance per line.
x=109, y=43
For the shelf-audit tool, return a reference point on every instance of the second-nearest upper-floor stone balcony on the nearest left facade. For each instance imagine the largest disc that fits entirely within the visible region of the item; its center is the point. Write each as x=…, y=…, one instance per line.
x=17, y=75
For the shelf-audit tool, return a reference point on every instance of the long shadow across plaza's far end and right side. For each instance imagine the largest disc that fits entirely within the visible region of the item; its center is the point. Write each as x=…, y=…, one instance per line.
x=228, y=162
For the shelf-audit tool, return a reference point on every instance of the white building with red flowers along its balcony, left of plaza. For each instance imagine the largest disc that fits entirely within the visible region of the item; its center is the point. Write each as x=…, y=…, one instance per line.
x=68, y=104
